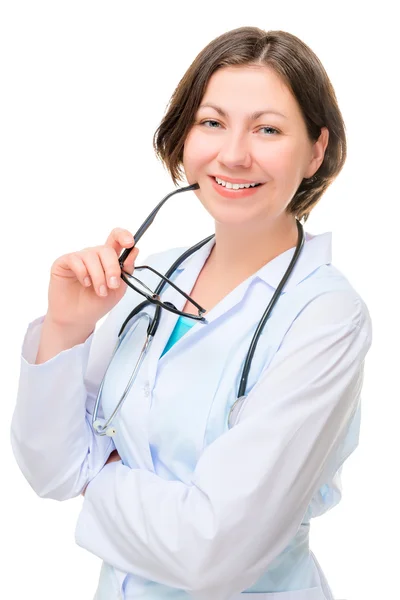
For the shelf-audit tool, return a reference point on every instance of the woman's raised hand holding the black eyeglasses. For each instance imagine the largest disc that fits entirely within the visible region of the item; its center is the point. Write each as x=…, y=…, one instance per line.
x=86, y=285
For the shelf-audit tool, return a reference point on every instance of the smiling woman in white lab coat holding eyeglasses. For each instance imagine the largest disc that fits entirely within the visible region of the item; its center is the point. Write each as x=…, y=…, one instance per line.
x=184, y=501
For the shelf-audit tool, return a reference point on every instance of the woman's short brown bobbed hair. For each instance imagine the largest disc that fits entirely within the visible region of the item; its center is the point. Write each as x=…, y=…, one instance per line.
x=301, y=71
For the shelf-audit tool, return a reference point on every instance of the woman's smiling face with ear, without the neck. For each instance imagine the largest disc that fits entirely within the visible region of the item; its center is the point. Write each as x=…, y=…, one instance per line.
x=229, y=142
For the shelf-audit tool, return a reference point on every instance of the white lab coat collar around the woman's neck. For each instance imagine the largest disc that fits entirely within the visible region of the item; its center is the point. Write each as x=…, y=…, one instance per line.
x=317, y=251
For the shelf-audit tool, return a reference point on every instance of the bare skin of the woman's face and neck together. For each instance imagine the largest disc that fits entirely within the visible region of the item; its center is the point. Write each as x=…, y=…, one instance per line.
x=251, y=231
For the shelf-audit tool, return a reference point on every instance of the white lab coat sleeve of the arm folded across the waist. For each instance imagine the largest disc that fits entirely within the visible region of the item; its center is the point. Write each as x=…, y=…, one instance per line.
x=252, y=486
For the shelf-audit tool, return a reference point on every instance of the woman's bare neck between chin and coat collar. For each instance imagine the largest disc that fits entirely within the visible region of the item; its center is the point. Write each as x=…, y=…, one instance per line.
x=240, y=252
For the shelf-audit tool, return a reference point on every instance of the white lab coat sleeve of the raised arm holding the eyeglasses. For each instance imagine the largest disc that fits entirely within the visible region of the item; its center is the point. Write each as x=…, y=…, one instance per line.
x=51, y=428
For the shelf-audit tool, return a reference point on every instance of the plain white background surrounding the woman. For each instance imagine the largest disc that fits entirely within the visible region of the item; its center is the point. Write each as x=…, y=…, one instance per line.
x=84, y=85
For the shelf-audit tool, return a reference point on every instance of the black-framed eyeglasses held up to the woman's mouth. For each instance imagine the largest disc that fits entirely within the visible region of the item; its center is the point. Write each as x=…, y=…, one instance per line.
x=142, y=288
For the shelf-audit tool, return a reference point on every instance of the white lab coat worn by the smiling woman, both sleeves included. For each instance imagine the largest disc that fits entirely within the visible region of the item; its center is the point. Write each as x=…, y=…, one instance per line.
x=194, y=509
